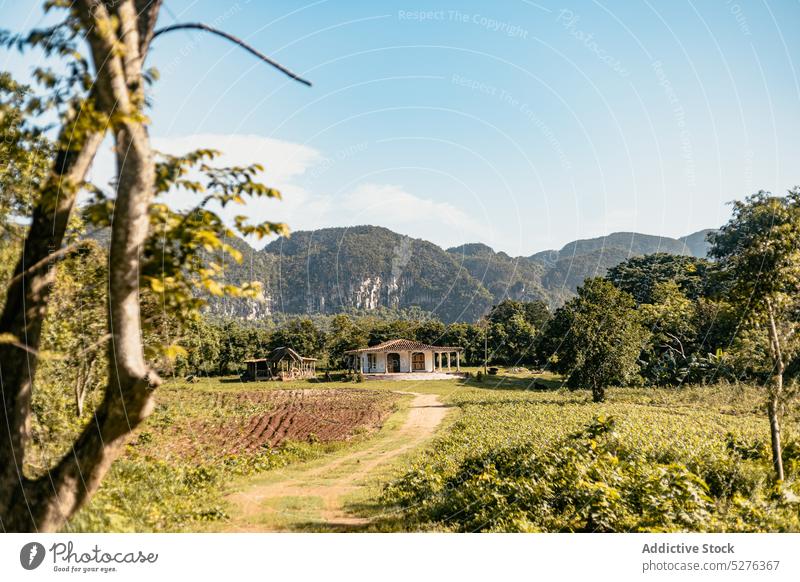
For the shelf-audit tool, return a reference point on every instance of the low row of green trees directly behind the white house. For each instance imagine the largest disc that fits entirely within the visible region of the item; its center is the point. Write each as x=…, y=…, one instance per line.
x=507, y=335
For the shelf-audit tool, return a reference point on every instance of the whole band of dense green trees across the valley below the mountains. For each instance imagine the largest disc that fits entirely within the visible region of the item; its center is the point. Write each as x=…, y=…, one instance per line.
x=657, y=320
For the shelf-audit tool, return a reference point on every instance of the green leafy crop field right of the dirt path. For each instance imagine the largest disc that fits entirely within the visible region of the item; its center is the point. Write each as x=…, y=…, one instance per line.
x=691, y=459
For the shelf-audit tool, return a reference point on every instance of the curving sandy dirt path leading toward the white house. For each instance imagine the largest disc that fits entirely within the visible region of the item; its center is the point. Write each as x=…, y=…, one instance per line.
x=311, y=496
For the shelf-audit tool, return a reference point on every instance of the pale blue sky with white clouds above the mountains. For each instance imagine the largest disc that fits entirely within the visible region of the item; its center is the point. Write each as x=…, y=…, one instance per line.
x=519, y=124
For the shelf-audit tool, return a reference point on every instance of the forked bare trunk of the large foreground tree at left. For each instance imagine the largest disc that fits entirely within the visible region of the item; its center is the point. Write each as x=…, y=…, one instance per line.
x=44, y=504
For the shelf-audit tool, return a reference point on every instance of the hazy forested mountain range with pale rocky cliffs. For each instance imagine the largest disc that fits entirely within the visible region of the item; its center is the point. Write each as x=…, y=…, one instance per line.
x=365, y=268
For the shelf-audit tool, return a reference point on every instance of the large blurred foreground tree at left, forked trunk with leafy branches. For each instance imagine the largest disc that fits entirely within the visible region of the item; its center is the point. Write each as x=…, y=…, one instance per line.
x=102, y=93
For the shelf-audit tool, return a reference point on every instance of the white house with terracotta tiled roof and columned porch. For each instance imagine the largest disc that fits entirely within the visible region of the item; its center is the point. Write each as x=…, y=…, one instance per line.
x=403, y=356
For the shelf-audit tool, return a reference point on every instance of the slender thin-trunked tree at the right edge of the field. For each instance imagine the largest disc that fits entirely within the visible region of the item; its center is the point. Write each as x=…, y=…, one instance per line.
x=759, y=248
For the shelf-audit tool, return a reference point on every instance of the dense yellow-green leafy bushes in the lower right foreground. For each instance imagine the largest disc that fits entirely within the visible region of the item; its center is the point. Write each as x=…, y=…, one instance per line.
x=600, y=477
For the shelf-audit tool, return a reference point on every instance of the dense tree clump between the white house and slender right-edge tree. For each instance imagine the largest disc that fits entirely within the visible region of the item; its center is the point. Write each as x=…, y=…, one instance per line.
x=660, y=319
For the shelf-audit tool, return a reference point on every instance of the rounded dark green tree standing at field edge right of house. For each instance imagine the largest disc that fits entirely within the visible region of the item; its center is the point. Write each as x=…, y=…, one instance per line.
x=596, y=338
